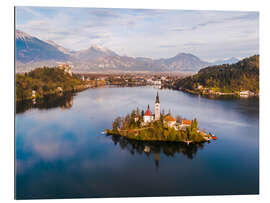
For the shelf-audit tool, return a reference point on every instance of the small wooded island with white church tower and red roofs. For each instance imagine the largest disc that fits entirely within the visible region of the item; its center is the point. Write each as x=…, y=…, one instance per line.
x=144, y=126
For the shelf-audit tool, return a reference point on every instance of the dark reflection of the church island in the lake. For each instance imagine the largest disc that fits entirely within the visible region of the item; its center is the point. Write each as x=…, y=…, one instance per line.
x=169, y=149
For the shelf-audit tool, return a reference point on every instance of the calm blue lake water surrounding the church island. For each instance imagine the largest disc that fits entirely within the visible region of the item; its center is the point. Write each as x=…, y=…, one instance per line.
x=61, y=153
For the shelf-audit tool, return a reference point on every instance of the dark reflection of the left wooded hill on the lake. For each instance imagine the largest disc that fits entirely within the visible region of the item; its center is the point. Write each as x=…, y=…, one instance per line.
x=65, y=101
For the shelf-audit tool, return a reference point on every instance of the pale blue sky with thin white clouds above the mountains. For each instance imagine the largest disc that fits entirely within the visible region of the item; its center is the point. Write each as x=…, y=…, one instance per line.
x=210, y=35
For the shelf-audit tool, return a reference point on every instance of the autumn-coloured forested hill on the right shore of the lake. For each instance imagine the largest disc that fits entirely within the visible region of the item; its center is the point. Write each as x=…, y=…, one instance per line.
x=235, y=79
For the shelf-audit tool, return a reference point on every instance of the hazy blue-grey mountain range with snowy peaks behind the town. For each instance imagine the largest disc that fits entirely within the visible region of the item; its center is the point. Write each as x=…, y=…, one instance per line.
x=32, y=52
